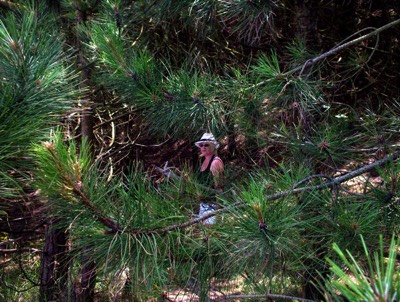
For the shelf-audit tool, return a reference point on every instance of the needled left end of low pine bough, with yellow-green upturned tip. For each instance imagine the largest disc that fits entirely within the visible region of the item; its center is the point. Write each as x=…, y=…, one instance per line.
x=122, y=222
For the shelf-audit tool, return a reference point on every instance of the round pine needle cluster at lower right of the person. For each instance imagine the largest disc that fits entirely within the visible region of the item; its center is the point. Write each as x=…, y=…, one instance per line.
x=264, y=237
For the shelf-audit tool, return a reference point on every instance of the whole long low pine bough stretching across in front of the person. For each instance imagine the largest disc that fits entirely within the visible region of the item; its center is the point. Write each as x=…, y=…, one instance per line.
x=130, y=223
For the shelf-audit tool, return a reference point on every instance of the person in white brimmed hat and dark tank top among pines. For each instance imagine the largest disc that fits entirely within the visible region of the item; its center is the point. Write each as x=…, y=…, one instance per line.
x=210, y=176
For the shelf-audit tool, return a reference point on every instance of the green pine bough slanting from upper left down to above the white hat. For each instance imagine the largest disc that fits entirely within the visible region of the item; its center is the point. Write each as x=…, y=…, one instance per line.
x=173, y=102
